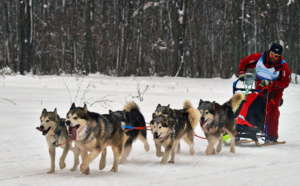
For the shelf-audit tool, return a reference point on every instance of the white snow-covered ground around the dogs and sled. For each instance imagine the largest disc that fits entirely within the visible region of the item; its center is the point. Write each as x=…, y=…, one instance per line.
x=24, y=152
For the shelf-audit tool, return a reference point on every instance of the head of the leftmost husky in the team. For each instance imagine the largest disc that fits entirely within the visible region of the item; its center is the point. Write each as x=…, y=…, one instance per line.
x=48, y=122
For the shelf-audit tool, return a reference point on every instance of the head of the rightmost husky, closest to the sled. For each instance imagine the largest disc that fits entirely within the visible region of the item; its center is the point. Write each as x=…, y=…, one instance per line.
x=207, y=112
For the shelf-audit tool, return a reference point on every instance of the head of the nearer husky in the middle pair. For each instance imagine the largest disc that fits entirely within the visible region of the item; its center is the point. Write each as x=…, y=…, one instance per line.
x=161, y=126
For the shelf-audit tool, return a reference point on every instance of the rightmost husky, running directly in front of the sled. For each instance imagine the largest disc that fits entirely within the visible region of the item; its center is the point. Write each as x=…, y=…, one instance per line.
x=216, y=119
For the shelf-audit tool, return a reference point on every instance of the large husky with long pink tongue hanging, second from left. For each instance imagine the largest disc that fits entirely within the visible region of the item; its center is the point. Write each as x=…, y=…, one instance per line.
x=93, y=132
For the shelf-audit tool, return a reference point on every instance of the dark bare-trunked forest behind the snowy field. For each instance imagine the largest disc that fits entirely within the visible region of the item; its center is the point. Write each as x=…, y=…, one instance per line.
x=187, y=38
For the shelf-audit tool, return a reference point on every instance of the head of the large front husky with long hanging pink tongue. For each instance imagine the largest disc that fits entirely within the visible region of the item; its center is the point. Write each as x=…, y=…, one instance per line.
x=76, y=121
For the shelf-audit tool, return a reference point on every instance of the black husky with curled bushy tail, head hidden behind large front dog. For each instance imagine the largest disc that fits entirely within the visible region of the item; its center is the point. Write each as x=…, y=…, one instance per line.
x=131, y=117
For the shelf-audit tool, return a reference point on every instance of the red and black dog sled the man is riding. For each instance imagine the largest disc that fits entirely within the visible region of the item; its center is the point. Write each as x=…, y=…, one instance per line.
x=251, y=116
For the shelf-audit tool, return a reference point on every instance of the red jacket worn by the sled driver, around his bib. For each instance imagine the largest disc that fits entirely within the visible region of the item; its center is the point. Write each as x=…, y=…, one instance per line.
x=280, y=65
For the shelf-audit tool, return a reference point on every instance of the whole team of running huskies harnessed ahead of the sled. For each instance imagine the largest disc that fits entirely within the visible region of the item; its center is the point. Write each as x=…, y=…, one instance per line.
x=93, y=132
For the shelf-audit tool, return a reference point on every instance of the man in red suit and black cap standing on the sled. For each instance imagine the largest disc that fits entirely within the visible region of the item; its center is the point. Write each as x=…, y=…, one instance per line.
x=273, y=74
